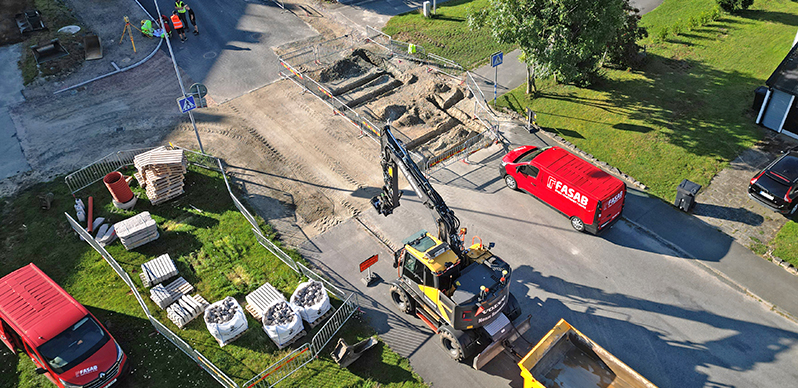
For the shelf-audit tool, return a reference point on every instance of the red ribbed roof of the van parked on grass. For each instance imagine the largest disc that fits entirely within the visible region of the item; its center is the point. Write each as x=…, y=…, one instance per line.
x=35, y=306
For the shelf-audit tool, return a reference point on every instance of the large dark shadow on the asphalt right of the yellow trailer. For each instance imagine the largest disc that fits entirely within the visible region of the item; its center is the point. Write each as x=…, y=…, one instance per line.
x=664, y=357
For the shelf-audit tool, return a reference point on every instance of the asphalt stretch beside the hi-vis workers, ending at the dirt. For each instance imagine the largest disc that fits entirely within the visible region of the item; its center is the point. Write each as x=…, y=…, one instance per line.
x=233, y=54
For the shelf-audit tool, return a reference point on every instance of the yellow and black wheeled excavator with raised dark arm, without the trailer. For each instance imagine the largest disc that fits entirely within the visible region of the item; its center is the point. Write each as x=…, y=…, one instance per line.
x=461, y=293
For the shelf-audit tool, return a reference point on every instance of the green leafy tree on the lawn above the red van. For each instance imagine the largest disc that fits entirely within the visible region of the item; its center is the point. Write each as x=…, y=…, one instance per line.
x=565, y=37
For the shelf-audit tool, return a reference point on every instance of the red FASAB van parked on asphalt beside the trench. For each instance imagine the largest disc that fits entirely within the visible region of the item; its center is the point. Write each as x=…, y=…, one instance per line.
x=590, y=197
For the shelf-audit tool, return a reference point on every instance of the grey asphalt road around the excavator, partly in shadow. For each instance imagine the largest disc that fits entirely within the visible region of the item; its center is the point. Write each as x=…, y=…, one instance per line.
x=666, y=317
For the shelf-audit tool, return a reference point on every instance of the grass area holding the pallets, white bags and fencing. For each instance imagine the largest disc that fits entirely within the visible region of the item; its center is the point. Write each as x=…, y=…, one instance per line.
x=213, y=249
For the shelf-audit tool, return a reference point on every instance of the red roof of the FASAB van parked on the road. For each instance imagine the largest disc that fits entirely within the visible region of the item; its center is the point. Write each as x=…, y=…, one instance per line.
x=587, y=177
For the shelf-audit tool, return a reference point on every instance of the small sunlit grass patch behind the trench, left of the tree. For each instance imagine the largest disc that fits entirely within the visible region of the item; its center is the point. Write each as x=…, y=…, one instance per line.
x=447, y=34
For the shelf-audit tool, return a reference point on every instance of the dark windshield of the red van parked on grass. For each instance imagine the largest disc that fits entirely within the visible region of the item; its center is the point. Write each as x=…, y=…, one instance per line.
x=74, y=345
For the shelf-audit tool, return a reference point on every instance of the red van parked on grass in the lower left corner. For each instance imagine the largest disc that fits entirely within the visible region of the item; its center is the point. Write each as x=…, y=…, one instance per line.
x=65, y=341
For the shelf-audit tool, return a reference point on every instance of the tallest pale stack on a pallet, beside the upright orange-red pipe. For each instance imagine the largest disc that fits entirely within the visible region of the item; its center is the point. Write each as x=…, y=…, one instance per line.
x=160, y=173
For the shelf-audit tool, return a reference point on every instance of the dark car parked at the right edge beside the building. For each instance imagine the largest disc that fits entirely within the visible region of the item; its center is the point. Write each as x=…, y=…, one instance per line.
x=777, y=185
